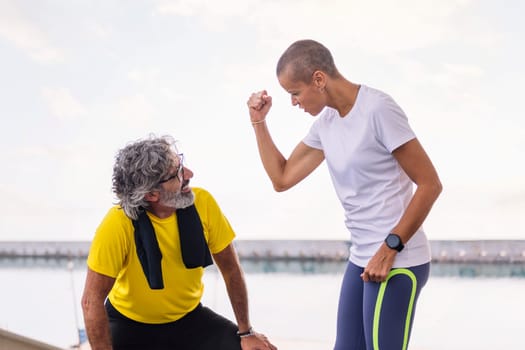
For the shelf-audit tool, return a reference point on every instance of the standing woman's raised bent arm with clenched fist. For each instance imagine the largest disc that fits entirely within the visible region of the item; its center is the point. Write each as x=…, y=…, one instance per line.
x=284, y=173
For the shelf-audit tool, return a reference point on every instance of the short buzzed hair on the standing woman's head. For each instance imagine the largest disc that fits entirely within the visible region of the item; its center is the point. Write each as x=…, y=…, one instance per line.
x=303, y=58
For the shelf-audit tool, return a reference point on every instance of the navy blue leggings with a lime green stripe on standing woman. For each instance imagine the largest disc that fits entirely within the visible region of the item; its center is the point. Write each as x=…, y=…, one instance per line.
x=378, y=316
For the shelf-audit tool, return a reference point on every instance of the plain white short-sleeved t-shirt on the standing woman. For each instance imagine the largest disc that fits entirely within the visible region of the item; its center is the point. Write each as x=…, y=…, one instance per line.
x=371, y=185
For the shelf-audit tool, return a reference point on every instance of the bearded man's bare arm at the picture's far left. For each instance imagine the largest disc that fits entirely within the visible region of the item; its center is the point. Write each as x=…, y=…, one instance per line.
x=96, y=290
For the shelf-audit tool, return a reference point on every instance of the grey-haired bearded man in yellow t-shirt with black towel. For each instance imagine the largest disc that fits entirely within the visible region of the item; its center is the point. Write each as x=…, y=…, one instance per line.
x=144, y=283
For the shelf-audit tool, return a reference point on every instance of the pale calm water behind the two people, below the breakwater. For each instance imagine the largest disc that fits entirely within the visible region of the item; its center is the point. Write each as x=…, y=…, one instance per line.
x=478, y=307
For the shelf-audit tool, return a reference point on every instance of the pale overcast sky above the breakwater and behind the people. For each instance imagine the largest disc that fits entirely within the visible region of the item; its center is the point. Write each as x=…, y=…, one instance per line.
x=81, y=79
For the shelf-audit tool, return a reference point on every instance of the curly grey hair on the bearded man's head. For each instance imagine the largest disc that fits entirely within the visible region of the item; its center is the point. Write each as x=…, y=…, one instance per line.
x=138, y=169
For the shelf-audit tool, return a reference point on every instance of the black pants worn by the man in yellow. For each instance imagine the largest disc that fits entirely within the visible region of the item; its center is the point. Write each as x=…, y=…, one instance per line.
x=201, y=329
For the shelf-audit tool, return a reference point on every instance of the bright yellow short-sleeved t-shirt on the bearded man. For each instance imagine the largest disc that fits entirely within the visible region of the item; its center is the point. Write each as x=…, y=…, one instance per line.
x=113, y=253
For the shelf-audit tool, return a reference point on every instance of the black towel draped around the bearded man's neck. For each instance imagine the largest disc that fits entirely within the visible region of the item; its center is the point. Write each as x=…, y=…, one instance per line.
x=194, y=249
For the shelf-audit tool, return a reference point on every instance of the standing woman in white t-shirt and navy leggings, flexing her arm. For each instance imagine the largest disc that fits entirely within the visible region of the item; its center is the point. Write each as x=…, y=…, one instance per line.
x=374, y=158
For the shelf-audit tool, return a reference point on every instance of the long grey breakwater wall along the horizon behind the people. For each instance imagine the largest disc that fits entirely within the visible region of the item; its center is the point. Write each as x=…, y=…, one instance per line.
x=467, y=251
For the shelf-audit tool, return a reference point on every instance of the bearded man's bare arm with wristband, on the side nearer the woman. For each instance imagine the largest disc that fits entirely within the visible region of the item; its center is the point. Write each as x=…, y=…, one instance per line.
x=230, y=268
